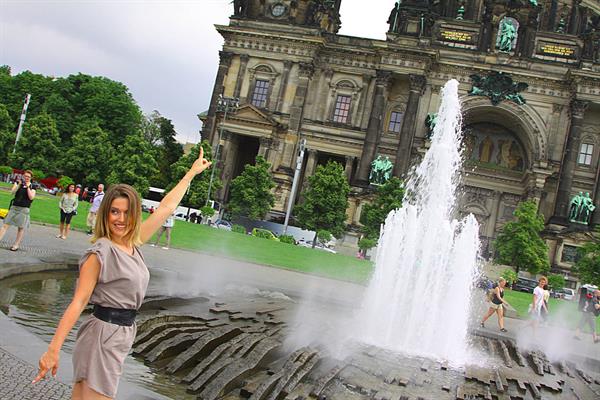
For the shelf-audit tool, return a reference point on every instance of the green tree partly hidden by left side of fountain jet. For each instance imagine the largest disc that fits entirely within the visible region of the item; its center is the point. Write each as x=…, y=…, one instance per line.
x=387, y=198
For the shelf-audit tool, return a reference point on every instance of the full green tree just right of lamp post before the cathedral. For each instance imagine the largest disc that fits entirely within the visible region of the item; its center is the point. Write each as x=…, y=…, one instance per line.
x=325, y=201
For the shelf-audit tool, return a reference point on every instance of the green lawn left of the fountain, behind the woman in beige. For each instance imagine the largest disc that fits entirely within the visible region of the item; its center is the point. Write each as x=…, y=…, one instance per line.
x=186, y=235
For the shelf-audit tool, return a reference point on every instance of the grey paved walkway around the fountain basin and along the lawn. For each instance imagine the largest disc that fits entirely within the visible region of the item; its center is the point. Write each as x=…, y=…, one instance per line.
x=184, y=273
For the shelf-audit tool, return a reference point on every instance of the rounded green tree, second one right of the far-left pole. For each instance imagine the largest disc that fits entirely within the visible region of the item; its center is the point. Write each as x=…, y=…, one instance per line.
x=88, y=159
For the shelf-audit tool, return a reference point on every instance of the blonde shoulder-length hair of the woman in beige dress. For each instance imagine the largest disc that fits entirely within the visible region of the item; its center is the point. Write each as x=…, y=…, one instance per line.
x=134, y=214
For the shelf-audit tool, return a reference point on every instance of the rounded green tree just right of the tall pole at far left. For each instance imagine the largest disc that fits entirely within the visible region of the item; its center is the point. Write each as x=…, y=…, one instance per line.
x=37, y=147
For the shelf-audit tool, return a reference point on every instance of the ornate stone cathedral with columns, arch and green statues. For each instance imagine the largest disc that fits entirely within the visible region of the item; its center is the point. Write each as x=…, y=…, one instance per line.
x=529, y=73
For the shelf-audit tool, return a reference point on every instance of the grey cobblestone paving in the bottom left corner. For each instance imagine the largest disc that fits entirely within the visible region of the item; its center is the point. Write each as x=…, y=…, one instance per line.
x=15, y=382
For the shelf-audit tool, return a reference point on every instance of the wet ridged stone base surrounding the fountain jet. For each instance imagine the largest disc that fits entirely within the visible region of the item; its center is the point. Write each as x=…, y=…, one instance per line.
x=236, y=351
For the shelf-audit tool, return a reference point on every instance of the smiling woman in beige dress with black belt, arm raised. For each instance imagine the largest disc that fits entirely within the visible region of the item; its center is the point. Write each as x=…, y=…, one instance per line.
x=113, y=277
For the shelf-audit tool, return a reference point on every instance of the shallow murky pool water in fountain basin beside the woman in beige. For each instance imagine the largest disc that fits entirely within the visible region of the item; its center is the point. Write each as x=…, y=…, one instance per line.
x=37, y=301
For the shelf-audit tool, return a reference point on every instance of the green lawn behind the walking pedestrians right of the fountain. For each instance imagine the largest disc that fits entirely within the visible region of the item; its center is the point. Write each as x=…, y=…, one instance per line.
x=561, y=311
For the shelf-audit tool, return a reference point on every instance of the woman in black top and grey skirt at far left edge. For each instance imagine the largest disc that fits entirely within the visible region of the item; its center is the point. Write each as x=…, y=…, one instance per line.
x=18, y=213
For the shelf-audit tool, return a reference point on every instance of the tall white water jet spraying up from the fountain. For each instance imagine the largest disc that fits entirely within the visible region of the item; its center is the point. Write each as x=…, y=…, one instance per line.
x=418, y=300
